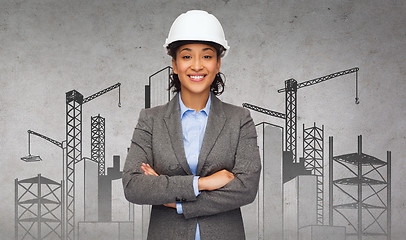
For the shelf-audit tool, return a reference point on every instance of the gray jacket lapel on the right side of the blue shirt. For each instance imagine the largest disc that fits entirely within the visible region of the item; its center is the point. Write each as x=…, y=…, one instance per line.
x=215, y=123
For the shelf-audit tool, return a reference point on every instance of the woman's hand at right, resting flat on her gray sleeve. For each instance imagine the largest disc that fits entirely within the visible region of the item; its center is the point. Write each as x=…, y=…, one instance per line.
x=215, y=181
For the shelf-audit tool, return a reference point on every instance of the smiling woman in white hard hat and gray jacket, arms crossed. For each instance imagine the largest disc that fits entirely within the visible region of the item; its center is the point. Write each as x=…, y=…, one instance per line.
x=195, y=159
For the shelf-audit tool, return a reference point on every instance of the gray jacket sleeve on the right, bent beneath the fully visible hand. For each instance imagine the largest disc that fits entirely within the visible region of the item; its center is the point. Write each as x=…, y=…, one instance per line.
x=243, y=188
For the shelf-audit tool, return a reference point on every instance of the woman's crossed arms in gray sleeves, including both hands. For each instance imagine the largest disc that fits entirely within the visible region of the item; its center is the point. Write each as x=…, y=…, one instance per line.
x=222, y=191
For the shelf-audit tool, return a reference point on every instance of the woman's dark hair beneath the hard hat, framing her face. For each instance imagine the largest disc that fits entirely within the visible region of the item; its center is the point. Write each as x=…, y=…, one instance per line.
x=217, y=86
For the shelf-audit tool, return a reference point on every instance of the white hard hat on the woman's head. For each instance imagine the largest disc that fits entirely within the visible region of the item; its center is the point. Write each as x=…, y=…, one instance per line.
x=197, y=25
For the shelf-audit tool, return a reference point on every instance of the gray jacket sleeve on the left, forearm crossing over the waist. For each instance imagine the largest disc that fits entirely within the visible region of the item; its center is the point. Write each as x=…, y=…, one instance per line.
x=154, y=190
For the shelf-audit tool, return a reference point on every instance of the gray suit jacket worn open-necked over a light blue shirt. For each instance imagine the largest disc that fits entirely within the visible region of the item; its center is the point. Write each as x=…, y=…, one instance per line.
x=230, y=142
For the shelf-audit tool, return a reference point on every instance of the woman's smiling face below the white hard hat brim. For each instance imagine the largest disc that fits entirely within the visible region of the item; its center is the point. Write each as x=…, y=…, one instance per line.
x=196, y=65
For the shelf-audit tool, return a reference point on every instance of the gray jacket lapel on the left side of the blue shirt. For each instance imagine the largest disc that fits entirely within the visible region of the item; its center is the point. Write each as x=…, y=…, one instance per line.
x=173, y=124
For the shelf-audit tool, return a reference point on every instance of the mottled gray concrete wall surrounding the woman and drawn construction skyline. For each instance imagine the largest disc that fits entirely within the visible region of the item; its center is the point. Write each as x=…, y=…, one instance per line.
x=48, y=47
